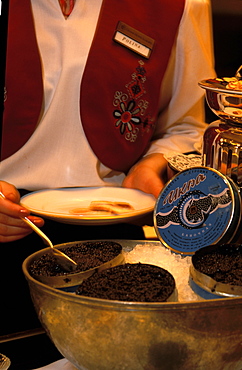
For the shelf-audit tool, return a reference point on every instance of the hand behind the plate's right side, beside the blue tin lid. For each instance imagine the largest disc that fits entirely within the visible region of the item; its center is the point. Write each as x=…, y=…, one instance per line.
x=148, y=175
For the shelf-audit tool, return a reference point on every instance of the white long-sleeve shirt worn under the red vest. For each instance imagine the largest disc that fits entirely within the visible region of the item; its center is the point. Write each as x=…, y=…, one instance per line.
x=58, y=153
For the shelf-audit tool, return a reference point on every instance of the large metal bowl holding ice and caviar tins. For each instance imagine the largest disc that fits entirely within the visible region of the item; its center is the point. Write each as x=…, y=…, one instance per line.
x=113, y=335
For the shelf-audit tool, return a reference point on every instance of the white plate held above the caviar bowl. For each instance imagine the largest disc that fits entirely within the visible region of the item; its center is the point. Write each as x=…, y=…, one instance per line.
x=57, y=204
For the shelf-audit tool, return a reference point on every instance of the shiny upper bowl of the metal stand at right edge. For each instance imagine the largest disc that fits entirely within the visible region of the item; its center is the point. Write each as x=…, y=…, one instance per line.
x=225, y=103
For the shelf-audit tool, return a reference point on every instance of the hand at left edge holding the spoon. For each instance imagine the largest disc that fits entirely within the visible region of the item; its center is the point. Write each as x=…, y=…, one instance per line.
x=11, y=226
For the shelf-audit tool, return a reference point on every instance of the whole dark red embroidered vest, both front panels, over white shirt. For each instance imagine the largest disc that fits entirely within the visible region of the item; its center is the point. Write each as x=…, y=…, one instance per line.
x=120, y=88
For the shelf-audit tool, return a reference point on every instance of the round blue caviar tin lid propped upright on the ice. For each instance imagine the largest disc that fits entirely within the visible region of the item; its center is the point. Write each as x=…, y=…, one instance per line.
x=197, y=207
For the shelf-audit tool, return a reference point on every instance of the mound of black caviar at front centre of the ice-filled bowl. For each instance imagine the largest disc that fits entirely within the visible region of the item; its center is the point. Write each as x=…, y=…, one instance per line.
x=130, y=282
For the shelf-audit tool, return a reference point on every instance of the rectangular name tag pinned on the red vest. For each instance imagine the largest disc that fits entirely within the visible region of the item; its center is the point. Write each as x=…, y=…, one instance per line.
x=134, y=40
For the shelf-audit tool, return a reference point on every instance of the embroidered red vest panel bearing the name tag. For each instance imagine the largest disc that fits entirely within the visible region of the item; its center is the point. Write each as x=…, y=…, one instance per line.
x=116, y=139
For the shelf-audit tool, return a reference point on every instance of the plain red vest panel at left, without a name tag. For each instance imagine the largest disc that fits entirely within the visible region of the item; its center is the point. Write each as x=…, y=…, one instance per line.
x=24, y=89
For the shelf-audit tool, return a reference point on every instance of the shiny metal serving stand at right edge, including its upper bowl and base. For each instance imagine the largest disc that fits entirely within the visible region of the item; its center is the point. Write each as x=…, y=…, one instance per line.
x=222, y=139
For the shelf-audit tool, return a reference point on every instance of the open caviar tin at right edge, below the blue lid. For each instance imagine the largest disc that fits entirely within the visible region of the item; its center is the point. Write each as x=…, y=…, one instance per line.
x=215, y=271
